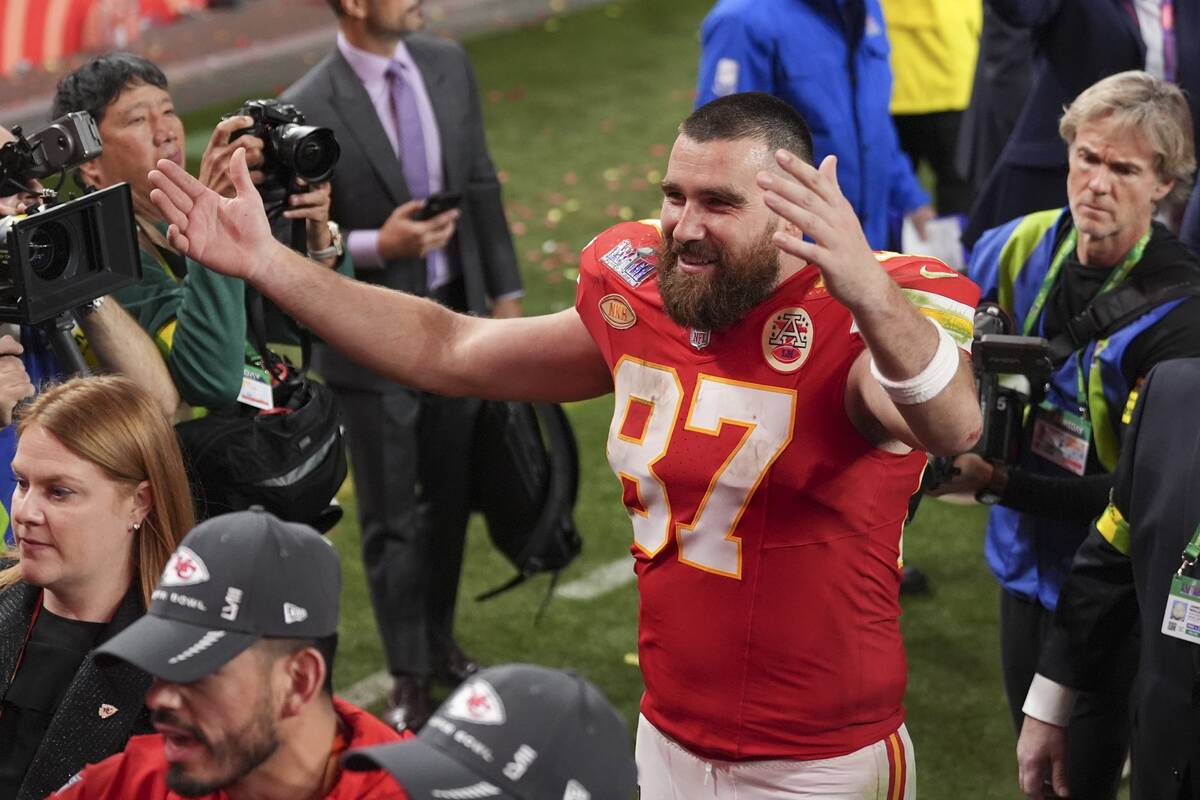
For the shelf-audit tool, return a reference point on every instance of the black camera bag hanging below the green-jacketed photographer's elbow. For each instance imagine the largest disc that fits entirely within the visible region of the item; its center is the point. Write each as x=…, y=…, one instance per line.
x=290, y=460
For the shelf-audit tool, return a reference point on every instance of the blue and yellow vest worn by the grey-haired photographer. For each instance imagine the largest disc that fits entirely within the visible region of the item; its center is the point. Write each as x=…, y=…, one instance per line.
x=1031, y=555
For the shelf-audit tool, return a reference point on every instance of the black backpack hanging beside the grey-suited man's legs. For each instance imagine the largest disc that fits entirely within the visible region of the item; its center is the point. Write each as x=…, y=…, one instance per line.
x=525, y=478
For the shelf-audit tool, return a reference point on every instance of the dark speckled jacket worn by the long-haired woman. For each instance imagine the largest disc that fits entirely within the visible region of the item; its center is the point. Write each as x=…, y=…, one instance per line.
x=77, y=736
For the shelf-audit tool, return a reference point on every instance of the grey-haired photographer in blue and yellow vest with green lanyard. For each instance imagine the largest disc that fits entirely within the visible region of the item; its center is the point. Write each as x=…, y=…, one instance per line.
x=1059, y=274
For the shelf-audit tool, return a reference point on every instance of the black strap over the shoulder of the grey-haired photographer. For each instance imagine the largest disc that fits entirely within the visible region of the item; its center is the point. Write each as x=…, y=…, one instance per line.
x=1112, y=311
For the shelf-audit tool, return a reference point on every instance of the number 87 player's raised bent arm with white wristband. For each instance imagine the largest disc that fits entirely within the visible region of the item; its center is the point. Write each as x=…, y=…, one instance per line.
x=901, y=340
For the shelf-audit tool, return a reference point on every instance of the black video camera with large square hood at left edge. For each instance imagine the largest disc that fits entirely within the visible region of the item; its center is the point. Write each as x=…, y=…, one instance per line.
x=57, y=257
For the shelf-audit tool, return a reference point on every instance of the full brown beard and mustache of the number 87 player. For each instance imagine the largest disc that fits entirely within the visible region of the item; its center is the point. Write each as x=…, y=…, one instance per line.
x=727, y=292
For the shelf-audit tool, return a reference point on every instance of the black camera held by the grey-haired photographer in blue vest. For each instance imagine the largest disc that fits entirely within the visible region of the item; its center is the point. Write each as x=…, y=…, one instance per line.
x=998, y=354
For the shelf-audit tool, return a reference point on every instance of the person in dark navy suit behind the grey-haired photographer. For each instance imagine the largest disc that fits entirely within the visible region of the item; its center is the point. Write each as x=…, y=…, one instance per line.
x=1078, y=43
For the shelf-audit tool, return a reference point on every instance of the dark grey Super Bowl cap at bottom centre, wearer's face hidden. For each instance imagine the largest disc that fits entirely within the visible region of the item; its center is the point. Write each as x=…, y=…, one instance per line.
x=515, y=732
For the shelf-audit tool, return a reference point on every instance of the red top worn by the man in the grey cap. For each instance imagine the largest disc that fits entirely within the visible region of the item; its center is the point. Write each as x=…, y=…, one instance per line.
x=140, y=772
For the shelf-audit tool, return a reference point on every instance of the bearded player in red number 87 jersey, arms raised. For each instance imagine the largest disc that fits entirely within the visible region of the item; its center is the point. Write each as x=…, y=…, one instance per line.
x=773, y=401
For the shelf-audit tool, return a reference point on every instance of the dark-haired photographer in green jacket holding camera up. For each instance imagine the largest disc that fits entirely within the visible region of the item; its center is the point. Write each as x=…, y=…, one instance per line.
x=196, y=317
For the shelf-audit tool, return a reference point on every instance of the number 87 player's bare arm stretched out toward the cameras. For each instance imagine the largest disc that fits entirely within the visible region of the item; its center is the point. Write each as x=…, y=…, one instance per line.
x=411, y=340
